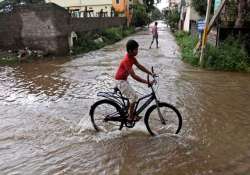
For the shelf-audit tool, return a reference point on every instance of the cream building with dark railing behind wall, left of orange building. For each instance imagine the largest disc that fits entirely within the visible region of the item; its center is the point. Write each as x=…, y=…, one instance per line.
x=86, y=8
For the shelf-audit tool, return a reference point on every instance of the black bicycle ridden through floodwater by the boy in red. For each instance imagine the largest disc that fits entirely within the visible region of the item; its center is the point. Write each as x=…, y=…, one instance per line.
x=159, y=118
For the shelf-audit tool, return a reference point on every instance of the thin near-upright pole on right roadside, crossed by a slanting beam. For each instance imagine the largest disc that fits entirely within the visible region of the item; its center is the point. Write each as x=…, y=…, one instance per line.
x=205, y=33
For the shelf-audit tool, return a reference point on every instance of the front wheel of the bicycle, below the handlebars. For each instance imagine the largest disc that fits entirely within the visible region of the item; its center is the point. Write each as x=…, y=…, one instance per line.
x=165, y=120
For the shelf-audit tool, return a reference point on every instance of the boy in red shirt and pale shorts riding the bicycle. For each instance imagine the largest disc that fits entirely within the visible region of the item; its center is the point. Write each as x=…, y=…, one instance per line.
x=124, y=70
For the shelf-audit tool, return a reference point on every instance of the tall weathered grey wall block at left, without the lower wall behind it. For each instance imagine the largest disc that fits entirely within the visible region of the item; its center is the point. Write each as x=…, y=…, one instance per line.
x=36, y=27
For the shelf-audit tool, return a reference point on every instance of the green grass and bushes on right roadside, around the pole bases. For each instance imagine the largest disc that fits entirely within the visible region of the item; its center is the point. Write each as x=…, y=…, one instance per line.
x=229, y=55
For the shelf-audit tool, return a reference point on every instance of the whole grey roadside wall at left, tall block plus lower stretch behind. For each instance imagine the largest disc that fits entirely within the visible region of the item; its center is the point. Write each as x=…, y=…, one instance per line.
x=46, y=27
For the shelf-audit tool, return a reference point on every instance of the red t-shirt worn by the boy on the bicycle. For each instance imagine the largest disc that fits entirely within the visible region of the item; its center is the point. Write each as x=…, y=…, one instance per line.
x=125, y=66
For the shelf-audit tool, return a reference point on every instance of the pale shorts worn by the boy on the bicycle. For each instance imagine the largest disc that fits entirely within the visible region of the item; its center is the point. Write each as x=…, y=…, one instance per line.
x=127, y=90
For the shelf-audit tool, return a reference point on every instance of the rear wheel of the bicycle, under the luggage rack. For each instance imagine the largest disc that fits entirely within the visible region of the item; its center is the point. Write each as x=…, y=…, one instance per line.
x=103, y=113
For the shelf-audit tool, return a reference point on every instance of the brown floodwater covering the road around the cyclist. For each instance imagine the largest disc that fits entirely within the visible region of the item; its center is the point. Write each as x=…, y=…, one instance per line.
x=45, y=126
